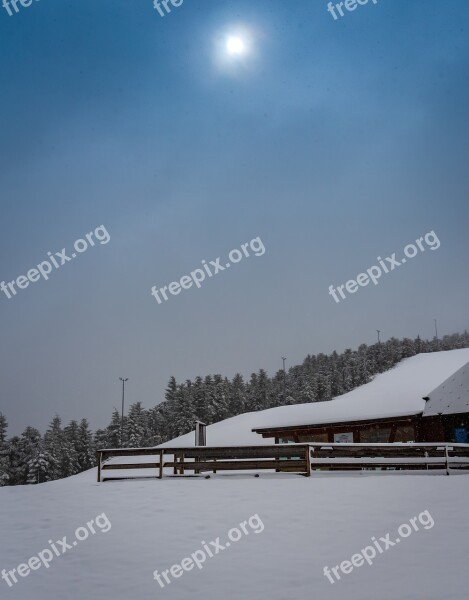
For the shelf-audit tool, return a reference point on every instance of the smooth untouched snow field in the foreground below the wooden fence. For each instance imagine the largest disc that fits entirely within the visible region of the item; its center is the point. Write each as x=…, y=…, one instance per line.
x=309, y=523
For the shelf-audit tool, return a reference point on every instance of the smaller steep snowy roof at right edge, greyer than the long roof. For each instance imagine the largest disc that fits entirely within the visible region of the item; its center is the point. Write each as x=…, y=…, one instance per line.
x=452, y=396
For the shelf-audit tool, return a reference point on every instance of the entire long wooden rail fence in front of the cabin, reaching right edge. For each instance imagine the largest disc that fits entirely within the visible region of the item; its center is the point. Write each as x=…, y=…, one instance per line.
x=293, y=458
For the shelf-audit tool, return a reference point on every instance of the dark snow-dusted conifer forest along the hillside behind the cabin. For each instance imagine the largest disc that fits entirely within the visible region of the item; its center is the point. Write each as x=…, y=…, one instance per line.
x=67, y=450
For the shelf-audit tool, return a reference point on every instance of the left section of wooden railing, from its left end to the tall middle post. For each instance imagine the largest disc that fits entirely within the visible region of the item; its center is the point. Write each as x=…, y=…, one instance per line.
x=290, y=458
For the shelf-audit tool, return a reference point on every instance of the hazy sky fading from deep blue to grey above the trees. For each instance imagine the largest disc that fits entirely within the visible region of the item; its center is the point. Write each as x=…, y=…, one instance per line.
x=334, y=141
